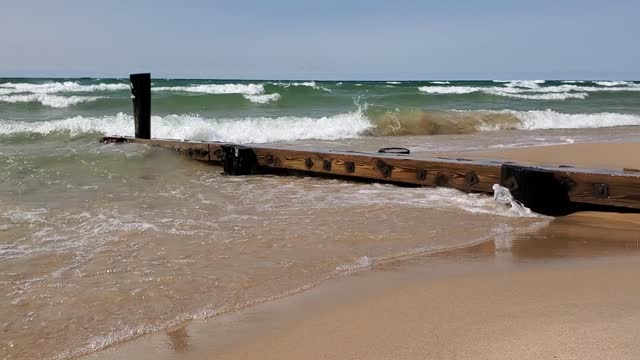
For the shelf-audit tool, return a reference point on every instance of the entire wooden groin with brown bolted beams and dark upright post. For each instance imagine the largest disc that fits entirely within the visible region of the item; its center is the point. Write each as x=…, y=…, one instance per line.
x=545, y=189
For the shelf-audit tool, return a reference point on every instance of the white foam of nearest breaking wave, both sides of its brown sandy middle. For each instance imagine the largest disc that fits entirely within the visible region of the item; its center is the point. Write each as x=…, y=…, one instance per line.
x=289, y=128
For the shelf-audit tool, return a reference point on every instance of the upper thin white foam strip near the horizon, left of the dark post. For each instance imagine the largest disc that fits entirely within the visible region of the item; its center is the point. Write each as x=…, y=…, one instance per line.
x=58, y=87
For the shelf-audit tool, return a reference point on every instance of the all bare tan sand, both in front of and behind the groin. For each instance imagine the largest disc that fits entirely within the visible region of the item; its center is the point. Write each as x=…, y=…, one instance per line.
x=565, y=291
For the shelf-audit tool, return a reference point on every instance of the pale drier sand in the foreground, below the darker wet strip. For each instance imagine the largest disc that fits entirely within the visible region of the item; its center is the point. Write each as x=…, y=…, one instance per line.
x=582, y=311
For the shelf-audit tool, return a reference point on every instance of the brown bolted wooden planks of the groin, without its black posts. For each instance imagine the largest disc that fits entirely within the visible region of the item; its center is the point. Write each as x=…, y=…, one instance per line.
x=618, y=188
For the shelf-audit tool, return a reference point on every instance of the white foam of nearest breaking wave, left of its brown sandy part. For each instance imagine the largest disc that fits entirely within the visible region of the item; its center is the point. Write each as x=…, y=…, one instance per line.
x=193, y=127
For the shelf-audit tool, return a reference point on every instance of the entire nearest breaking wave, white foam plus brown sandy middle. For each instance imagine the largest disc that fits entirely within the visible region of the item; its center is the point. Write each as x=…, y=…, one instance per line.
x=340, y=126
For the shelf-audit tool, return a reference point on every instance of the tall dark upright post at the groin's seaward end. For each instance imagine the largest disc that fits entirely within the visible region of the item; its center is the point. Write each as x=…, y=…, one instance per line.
x=141, y=96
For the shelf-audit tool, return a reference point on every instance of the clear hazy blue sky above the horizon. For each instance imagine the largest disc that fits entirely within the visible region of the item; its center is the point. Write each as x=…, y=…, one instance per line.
x=324, y=39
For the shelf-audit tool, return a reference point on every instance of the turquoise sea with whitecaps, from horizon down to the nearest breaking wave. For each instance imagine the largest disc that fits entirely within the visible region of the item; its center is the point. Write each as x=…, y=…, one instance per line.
x=262, y=111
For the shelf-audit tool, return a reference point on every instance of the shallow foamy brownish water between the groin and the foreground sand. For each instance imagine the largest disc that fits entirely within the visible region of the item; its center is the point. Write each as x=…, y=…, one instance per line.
x=103, y=243
